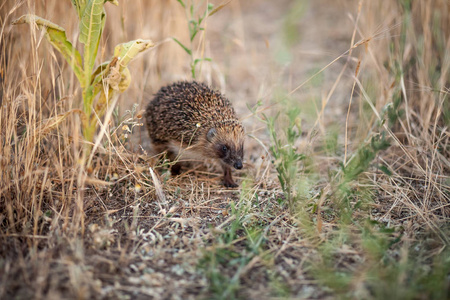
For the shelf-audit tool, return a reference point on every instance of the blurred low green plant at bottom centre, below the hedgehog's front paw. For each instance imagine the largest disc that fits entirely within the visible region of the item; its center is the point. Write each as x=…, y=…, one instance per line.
x=229, y=257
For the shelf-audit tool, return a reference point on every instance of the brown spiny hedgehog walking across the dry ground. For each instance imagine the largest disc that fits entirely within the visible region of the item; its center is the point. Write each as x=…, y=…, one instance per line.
x=191, y=119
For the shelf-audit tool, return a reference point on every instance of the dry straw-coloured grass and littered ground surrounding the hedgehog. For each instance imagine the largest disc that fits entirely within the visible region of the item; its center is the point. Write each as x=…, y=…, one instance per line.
x=118, y=230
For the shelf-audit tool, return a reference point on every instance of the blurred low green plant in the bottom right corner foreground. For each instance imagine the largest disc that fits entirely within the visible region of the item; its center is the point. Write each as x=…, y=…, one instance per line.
x=392, y=267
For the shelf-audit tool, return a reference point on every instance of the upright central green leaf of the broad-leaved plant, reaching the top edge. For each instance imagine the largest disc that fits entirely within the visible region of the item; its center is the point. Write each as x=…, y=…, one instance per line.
x=91, y=26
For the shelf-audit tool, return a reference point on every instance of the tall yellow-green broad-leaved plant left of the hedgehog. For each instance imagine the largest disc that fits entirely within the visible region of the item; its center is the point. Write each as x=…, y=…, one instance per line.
x=101, y=84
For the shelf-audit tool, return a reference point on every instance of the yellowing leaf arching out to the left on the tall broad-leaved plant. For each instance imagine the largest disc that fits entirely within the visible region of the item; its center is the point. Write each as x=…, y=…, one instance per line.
x=56, y=35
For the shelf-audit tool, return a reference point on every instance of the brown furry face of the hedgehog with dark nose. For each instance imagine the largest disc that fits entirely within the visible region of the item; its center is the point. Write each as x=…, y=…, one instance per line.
x=227, y=147
